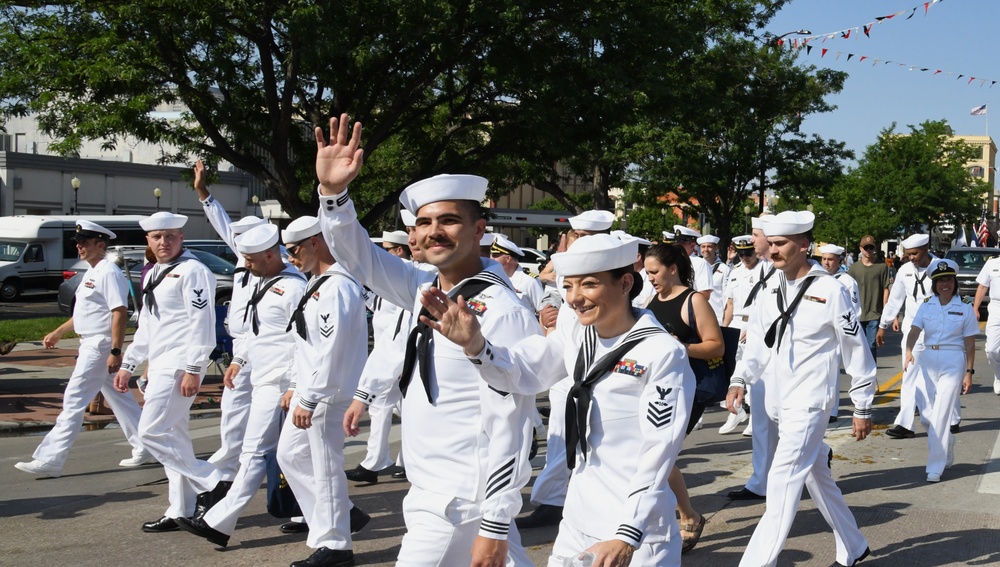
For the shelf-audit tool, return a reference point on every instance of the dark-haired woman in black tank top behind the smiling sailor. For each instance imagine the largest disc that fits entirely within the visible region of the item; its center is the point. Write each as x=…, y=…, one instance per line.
x=669, y=270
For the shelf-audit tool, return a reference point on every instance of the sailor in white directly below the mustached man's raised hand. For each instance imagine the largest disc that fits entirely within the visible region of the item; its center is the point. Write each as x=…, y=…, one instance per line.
x=331, y=340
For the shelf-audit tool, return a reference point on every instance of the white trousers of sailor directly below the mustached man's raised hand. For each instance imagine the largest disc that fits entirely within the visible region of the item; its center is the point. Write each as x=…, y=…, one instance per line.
x=313, y=463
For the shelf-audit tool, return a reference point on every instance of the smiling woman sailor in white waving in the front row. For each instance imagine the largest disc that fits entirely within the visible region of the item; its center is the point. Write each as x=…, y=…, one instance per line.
x=627, y=410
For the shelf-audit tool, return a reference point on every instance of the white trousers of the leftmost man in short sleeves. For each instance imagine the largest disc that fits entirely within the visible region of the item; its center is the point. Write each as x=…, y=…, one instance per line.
x=89, y=377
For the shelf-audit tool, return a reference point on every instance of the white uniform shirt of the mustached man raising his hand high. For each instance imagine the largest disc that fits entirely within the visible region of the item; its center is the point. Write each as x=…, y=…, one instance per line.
x=472, y=441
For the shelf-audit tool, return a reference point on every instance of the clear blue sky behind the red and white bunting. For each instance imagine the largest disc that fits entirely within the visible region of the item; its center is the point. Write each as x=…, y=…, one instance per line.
x=956, y=35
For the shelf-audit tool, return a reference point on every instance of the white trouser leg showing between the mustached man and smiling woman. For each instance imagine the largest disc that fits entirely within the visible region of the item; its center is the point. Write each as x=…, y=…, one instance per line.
x=550, y=485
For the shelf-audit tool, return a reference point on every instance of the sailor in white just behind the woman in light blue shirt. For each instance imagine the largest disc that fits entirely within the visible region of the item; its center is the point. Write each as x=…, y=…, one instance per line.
x=910, y=288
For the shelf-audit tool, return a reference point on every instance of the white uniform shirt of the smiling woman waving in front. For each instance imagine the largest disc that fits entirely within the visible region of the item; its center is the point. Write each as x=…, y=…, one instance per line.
x=637, y=422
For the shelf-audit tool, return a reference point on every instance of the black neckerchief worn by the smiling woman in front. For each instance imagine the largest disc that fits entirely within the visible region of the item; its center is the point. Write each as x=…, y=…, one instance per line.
x=585, y=374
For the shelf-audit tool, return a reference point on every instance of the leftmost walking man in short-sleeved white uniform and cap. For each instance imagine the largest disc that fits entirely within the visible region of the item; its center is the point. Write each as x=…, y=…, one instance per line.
x=99, y=316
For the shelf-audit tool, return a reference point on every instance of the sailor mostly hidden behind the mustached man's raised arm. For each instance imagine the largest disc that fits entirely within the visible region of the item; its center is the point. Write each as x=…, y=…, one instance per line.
x=390, y=326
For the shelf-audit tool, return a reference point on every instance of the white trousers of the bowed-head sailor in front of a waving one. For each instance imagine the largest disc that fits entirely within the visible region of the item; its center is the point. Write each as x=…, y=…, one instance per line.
x=263, y=427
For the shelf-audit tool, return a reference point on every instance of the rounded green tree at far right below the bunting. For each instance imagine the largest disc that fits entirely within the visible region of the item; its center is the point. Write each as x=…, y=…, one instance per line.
x=905, y=183
